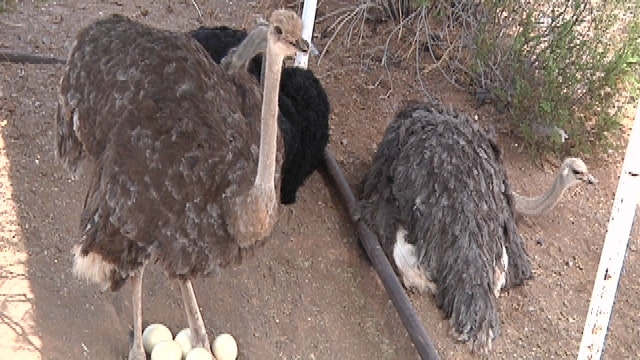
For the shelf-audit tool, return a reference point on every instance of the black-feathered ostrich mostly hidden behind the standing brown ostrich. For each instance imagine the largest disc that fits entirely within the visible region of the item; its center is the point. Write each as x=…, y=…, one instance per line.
x=303, y=103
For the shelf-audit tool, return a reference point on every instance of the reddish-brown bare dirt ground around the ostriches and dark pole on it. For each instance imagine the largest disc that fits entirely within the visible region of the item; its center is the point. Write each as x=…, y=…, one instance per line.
x=309, y=293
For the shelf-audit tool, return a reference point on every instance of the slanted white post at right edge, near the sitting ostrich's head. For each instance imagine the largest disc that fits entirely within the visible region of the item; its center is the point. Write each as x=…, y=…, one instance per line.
x=613, y=250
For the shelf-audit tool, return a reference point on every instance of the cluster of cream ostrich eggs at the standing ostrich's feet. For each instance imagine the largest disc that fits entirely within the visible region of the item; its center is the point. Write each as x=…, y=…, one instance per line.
x=158, y=341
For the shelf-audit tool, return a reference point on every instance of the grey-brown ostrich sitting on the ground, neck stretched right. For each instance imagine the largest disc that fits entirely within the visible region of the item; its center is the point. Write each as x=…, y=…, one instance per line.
x=438, y=198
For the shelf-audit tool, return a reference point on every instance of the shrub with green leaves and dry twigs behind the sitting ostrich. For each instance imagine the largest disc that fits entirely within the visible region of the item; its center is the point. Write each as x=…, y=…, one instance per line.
x=556, y=67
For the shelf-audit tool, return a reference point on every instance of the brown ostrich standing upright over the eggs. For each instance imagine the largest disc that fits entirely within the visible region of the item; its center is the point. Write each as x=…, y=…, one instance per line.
x=184, y=165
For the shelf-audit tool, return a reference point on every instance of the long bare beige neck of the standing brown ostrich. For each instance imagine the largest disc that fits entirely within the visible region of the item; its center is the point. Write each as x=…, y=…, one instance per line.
x=269, y=124
